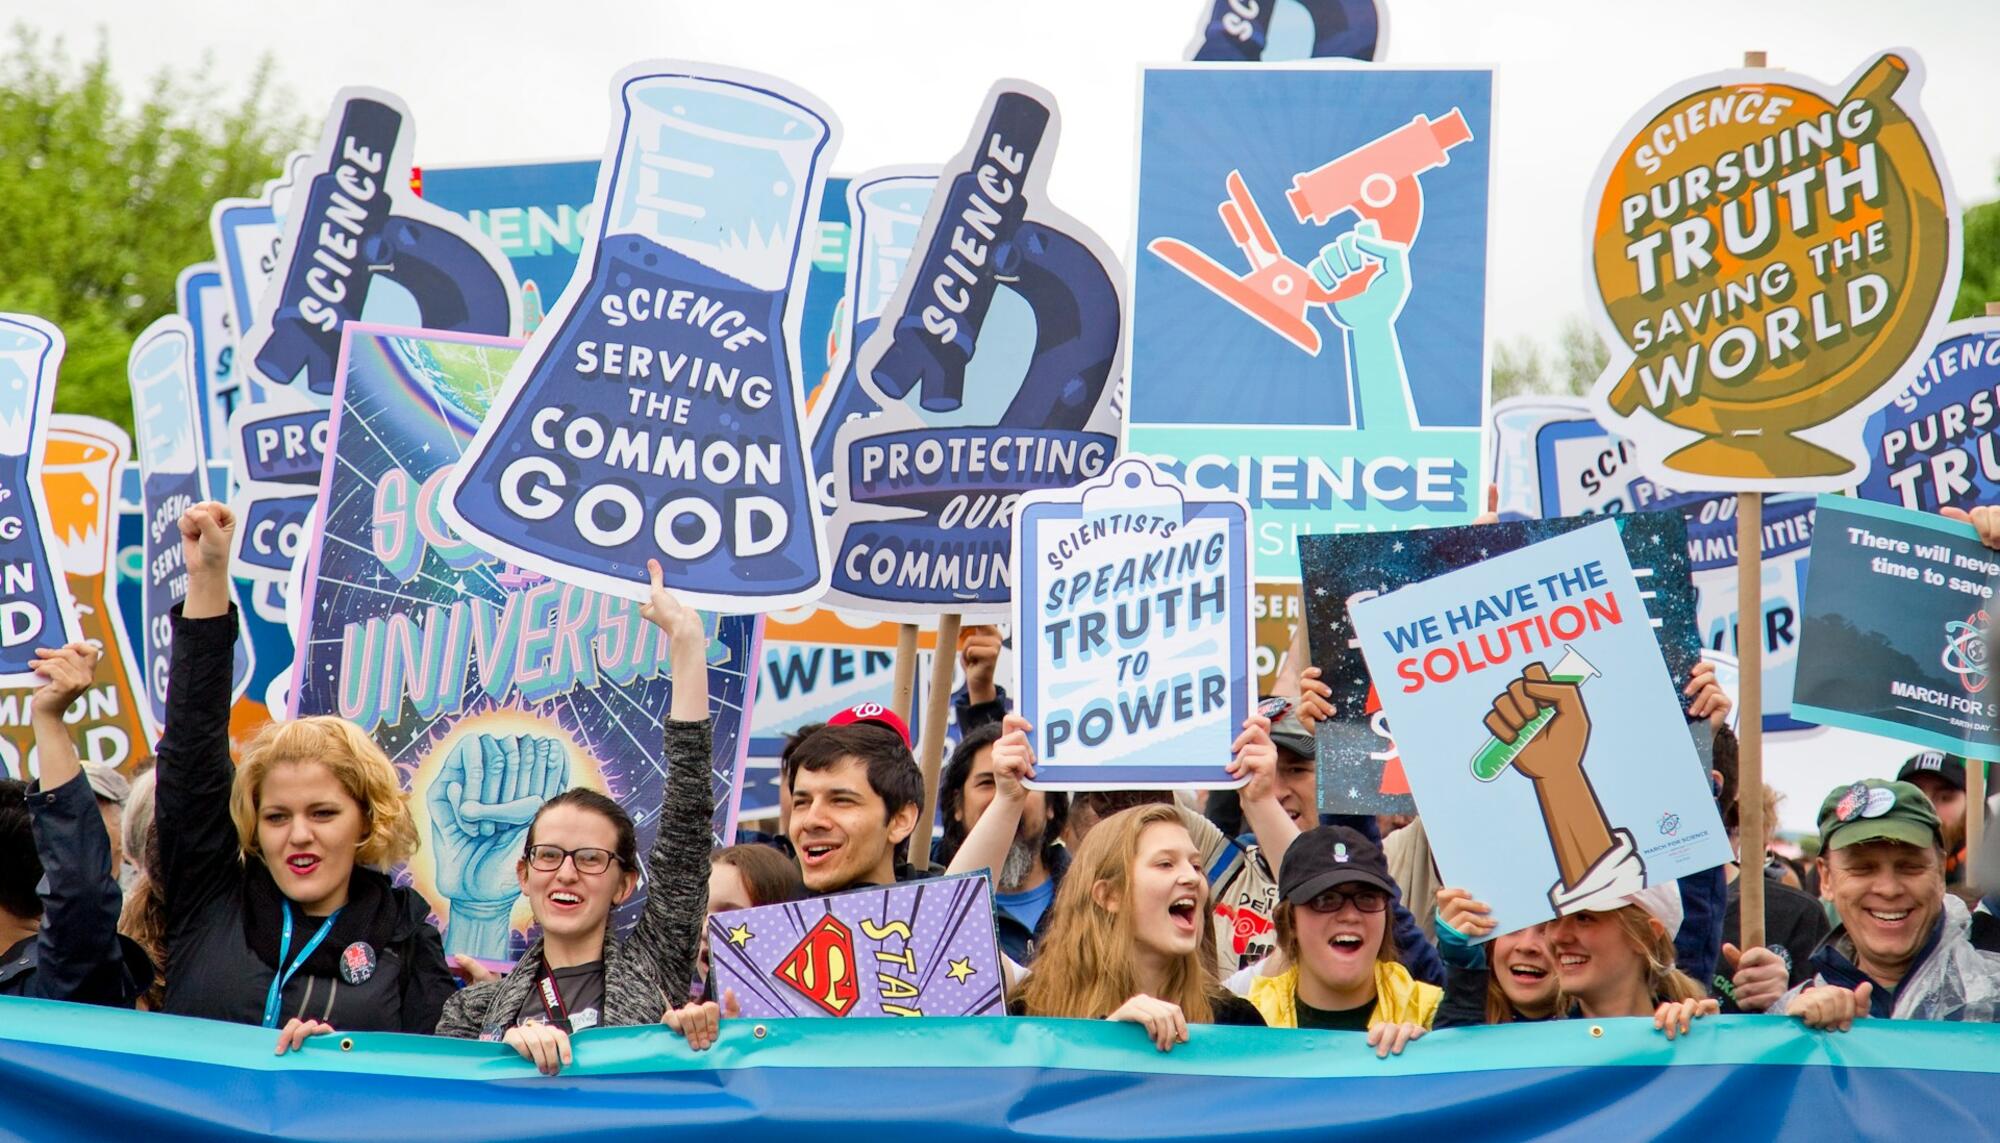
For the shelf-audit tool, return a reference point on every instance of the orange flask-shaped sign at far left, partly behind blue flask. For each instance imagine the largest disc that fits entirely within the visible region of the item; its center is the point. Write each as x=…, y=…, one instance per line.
x=79, y=483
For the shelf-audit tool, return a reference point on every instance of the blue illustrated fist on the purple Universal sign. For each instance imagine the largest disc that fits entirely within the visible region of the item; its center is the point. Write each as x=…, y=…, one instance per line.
x=481, y=806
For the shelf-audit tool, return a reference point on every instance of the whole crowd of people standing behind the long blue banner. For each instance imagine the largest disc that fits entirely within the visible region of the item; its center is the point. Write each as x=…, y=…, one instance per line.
x=261, y=888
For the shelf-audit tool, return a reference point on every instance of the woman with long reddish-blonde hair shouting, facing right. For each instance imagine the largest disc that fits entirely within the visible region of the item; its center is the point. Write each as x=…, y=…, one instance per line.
x=1131, y=936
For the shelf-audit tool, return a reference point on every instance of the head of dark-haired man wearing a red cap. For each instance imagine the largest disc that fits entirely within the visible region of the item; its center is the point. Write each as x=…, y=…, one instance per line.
x=855, y=792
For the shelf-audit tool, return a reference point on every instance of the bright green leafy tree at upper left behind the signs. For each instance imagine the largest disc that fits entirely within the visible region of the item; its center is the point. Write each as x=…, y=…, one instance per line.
x=105, y=201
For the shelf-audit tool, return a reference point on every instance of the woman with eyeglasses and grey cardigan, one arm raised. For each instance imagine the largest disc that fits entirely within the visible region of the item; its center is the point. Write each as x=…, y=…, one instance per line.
x=581, y=862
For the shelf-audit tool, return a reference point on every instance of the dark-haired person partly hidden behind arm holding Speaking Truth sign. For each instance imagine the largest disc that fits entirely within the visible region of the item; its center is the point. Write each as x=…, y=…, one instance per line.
x=1025, y=886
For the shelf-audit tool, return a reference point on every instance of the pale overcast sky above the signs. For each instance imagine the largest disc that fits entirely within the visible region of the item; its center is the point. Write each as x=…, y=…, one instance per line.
x=511, y=81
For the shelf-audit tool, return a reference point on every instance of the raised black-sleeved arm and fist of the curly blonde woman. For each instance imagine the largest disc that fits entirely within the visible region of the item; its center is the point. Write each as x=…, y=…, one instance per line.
x=199, y=848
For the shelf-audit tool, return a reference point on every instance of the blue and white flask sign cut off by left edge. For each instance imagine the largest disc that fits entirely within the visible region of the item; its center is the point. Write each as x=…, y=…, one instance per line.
x=35, y=606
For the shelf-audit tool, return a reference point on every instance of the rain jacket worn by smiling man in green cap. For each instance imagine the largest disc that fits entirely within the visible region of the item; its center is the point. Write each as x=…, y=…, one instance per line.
x=1951, y=978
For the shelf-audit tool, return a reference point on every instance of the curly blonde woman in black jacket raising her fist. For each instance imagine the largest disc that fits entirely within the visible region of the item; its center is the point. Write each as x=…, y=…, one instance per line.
x=271, y=872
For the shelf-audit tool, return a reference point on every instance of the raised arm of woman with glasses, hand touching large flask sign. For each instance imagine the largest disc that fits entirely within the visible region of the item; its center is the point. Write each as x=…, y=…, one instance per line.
x=677, y=868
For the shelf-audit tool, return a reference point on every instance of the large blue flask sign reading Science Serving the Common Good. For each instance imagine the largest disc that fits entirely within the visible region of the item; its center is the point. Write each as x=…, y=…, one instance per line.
x=657, y=415
